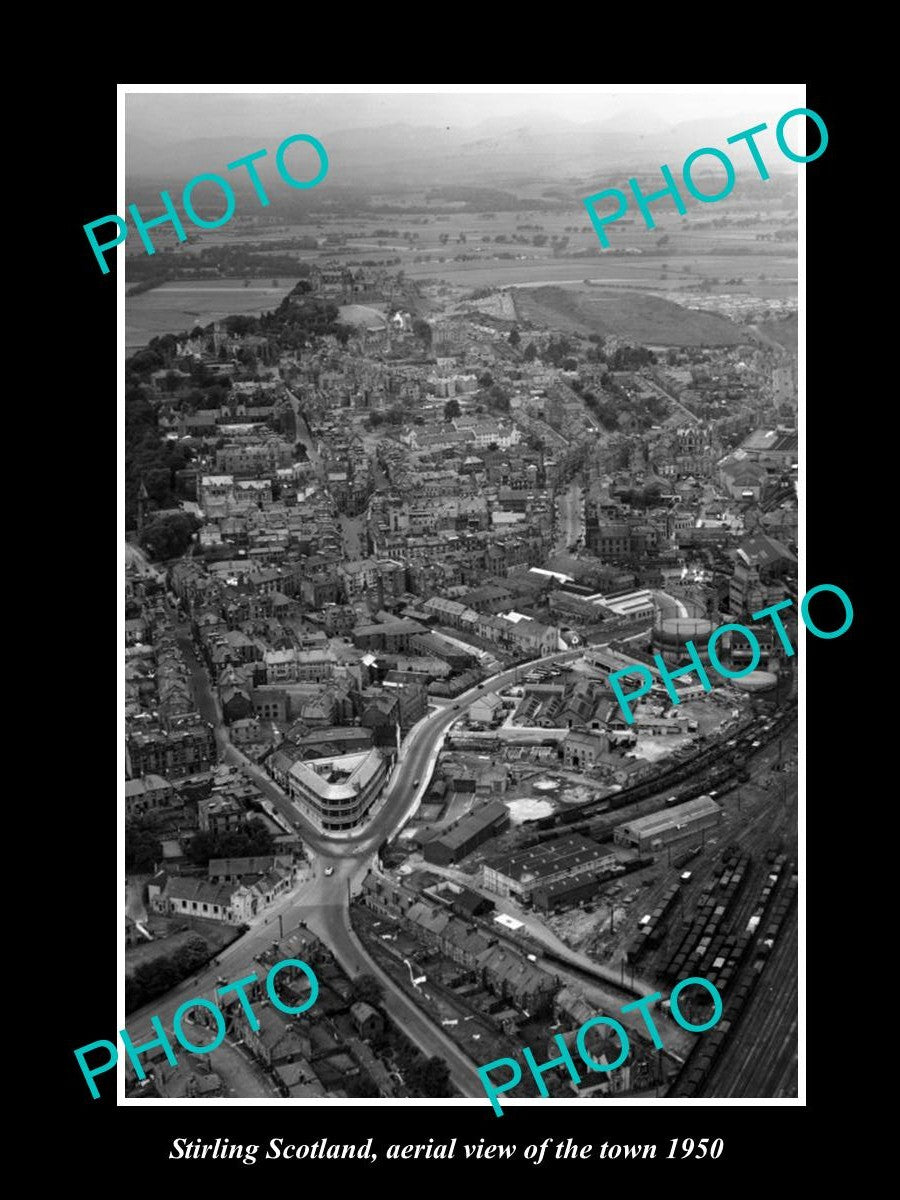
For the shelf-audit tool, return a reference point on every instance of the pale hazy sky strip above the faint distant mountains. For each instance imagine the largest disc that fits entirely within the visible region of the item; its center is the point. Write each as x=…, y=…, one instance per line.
x=183, y=116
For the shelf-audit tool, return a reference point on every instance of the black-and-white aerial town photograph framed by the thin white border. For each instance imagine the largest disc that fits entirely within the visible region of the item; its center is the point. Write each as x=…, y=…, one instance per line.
x=435, y=508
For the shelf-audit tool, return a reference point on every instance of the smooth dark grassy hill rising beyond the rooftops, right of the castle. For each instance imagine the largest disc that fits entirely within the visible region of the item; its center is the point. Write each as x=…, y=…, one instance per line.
x=647, y=320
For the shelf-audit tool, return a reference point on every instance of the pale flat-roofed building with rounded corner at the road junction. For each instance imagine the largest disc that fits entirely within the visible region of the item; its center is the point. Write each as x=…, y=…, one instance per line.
x=337, y=794
